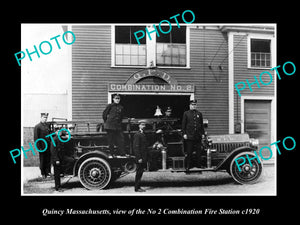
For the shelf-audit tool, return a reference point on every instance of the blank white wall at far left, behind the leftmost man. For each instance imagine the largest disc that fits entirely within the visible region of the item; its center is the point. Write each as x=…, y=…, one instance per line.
x=45, y=81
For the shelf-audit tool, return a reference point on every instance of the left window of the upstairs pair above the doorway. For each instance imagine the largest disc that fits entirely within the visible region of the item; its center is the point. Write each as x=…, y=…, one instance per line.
x=127, y=51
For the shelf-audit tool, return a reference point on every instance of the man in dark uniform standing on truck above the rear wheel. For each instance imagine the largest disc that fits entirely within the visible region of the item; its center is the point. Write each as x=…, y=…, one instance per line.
x=112, y=116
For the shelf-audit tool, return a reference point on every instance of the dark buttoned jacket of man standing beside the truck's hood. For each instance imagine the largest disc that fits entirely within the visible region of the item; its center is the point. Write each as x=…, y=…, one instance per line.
x=192, y=124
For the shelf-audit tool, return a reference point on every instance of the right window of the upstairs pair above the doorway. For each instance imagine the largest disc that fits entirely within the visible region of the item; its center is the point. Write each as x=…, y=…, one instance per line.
x=171, y=47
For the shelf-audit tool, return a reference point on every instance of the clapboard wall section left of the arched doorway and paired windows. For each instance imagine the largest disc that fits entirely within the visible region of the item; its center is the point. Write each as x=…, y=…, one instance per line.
x=91, y=71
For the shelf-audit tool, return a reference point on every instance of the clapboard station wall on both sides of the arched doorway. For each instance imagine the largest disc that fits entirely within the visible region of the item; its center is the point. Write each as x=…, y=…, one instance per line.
x=92, y=71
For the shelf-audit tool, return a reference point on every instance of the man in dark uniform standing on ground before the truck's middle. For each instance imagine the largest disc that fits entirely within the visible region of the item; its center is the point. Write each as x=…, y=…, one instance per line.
x=140, y=151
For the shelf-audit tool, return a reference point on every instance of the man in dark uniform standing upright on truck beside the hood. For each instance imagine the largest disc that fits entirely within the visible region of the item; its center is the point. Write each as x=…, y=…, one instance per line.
x=193, y=131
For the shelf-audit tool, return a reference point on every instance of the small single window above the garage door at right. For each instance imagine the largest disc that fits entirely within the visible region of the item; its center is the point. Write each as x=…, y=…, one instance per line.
x=260, y=53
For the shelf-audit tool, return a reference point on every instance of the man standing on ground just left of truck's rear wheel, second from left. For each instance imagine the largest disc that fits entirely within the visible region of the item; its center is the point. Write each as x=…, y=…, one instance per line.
x=62, y=157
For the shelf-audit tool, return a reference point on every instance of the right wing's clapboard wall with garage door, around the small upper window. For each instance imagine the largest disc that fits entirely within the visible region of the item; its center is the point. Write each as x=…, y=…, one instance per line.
x=255, y=110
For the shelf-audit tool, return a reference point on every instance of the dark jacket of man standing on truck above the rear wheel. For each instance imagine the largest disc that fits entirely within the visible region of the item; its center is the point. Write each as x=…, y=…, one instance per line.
x=112, y=116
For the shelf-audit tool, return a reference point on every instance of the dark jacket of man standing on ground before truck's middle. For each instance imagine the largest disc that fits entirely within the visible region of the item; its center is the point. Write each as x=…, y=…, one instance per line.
x=140, y=146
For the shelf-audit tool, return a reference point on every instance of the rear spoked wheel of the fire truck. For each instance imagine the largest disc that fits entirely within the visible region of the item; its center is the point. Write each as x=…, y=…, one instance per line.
x=94, y=173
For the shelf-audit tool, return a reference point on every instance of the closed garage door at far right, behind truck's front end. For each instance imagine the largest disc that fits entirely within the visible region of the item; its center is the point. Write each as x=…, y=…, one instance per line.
x=258, y=122
